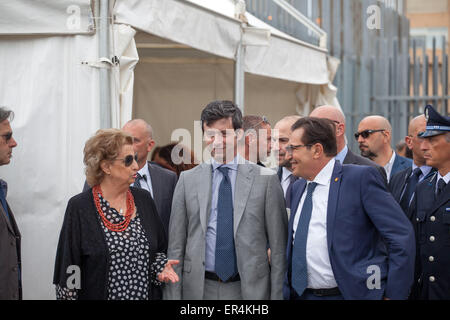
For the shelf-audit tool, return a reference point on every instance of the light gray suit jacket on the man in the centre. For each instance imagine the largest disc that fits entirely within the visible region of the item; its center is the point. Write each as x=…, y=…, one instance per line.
x=259, y=217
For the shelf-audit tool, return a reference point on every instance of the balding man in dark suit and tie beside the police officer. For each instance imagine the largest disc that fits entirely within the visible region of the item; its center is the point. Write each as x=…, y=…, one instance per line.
x=403, y=184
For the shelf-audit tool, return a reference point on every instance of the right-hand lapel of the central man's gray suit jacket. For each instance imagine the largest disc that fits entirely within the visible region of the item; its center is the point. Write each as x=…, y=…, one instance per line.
x=244, y=182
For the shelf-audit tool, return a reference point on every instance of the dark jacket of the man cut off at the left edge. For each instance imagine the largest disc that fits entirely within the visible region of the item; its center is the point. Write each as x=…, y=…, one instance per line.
x=10, y=287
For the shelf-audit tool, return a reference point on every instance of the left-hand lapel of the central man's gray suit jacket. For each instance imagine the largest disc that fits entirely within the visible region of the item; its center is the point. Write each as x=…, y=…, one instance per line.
x=203, y=183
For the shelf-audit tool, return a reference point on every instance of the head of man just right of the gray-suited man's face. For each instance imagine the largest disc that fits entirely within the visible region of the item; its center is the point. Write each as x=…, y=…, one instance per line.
x=257, y=141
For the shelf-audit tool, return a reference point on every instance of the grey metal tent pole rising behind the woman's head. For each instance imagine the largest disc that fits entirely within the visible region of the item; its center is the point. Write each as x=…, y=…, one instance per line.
x=105, y=81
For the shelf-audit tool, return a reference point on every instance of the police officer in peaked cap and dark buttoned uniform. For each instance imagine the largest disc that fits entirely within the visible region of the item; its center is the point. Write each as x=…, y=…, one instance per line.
x=431, y=212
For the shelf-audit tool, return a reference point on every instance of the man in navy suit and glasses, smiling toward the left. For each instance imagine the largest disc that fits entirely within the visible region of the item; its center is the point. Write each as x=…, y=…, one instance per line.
x=342, y=219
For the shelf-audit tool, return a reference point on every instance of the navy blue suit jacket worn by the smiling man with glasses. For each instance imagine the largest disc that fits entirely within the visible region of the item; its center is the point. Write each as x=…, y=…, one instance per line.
x=361, y=215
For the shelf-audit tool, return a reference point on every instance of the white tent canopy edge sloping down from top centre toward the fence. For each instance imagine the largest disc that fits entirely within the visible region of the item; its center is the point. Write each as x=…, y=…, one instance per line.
x=210, y=26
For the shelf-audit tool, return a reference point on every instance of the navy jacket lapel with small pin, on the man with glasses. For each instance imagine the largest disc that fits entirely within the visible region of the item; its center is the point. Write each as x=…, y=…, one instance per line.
x=333, y=197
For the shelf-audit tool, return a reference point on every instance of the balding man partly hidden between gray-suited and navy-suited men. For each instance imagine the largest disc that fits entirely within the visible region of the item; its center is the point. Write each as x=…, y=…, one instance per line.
x=282, y=132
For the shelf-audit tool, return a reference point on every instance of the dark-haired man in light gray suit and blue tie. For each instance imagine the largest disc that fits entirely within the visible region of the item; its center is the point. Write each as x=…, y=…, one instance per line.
x=223, y=215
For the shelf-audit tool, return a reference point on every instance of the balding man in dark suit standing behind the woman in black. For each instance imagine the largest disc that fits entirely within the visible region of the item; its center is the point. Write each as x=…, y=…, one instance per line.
x=159, y=182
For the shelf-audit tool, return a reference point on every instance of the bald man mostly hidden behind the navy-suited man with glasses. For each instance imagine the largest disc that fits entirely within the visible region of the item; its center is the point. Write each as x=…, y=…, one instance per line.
x=345, y=155
